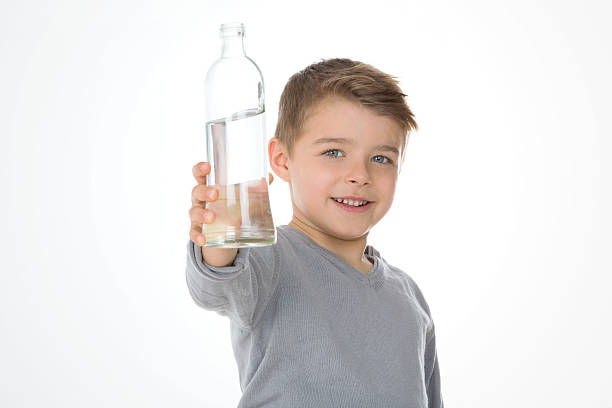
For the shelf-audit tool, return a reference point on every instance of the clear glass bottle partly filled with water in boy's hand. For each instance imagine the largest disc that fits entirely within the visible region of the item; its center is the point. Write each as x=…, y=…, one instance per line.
x=237, y=147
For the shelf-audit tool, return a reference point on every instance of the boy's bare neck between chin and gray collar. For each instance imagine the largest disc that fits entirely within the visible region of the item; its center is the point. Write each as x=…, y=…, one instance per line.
x=352, y=251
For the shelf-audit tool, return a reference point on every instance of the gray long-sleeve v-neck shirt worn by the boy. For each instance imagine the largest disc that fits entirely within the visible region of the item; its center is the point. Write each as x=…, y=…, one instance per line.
x=310, y=330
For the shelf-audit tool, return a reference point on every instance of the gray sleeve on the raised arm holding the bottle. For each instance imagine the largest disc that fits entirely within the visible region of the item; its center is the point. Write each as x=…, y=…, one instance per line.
x=239, y=291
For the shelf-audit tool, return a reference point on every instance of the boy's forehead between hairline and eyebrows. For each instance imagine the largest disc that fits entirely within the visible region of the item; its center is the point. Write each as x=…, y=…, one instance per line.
x=339, y=118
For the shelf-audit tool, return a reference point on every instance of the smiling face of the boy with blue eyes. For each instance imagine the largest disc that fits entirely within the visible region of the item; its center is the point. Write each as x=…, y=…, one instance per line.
x=362, y=165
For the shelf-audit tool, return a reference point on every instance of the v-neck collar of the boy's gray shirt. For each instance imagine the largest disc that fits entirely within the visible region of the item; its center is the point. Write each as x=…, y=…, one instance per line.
x=372, y=278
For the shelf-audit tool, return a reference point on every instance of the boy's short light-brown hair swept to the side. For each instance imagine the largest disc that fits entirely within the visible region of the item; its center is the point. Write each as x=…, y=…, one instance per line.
x=353, y=80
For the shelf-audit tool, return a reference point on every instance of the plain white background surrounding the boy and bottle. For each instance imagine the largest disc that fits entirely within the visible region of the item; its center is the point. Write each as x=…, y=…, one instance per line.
x=499, y=215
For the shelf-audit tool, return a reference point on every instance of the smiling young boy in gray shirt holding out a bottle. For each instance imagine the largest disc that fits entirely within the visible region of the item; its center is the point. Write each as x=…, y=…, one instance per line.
x=320, y=319
